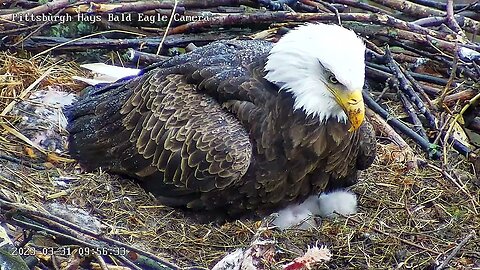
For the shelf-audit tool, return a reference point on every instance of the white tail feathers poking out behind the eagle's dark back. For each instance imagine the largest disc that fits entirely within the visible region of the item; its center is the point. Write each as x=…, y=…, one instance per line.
x=106, y=73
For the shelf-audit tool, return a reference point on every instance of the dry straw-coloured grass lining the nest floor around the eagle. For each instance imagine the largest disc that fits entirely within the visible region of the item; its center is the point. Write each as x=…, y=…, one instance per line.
x=406, y=219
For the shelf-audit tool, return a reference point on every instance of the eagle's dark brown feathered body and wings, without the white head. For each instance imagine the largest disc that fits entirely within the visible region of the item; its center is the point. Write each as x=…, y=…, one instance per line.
x=205, y=130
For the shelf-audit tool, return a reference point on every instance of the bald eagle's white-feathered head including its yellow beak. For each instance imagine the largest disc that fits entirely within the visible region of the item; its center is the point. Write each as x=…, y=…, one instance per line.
x=323, y=67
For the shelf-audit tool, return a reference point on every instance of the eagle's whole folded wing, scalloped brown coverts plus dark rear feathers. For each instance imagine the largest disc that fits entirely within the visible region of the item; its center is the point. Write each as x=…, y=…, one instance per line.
x=164, y=119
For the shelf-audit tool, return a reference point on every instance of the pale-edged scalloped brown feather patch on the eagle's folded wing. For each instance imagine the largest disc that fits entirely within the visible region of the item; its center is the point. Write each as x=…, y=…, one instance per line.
x=169, y=129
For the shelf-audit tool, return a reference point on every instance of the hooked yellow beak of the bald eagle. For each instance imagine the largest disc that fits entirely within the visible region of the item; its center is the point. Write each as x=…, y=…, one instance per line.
x=352, y=104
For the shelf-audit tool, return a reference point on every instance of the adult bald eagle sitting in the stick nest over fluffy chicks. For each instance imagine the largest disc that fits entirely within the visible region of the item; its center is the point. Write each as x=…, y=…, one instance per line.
x=238, y=126
